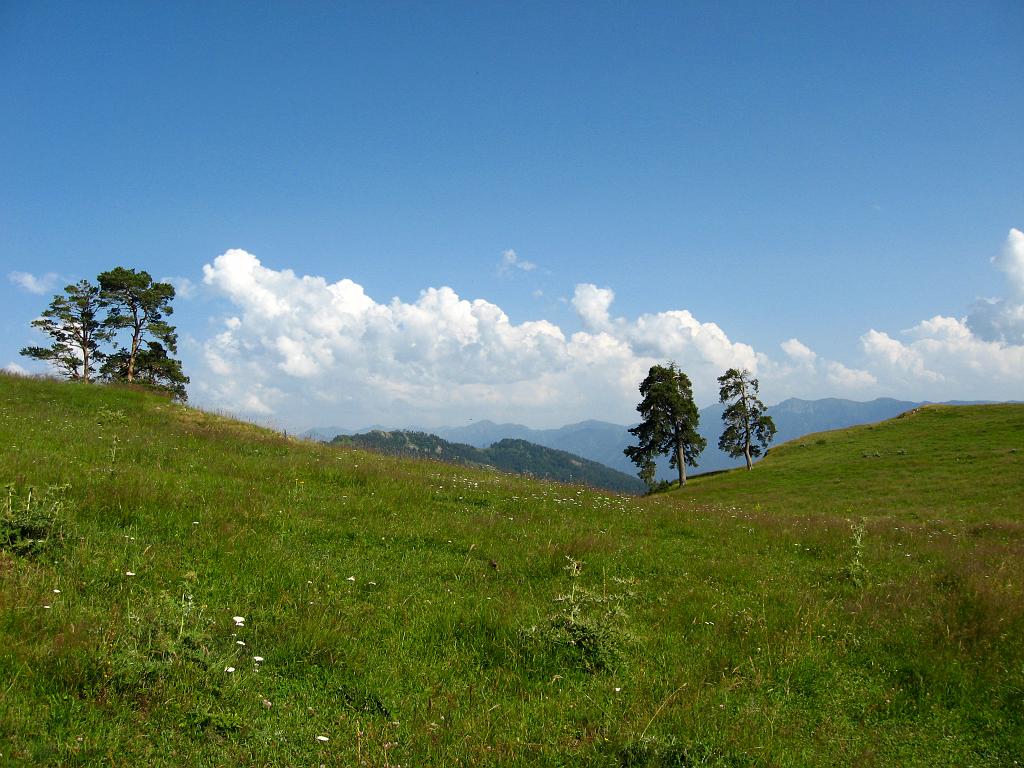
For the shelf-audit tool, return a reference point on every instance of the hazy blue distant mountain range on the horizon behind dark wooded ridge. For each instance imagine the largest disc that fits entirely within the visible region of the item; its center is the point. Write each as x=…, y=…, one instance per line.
x=604, y=443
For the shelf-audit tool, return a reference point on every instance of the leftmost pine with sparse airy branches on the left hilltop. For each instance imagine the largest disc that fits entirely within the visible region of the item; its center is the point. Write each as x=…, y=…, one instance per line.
x=73, y=322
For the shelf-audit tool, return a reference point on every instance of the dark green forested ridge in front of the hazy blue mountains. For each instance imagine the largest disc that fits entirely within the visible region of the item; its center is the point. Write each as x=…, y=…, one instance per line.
x=508, y=455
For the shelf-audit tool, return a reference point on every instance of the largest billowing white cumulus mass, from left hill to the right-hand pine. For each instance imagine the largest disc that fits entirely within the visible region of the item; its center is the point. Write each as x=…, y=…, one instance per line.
x=291, y=340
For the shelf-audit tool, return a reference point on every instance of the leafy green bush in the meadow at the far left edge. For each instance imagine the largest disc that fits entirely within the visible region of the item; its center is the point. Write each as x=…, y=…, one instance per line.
x=33, y=523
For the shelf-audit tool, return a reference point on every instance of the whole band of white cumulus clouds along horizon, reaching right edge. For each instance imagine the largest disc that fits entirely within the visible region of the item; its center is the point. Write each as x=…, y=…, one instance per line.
x=302, y=350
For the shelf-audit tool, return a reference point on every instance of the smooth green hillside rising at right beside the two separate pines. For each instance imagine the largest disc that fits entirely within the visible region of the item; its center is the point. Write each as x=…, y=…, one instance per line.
x=964, y=462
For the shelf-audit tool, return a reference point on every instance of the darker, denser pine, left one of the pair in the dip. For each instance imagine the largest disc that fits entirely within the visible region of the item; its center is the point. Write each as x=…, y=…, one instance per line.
x=670, y=423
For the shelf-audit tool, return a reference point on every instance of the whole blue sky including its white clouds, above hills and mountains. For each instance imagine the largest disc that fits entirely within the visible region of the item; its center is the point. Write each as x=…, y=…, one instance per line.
x=839, y=175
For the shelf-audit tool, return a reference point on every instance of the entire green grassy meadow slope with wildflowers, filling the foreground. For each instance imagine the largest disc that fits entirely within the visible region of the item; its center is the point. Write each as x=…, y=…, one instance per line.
x=751, y=635
